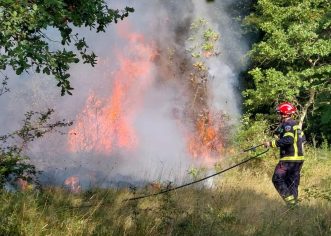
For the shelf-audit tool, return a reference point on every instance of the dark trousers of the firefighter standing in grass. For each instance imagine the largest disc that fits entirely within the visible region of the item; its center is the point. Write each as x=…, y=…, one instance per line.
x=286, y=178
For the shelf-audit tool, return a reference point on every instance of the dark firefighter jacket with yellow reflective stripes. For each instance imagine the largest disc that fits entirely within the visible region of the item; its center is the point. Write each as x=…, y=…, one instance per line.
x=290, y=141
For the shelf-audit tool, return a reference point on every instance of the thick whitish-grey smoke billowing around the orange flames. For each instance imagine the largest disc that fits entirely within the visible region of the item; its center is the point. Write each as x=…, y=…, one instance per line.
x=161, y=154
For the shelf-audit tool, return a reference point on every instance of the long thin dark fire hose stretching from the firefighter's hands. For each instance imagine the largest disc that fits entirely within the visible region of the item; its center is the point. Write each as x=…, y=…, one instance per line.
x=253, y=148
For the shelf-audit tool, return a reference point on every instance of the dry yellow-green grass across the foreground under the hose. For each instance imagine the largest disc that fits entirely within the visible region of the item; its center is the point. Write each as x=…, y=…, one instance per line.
x=243, y=202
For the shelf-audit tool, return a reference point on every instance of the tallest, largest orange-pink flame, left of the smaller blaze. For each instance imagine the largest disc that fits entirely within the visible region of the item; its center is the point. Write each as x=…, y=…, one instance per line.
x=104, y=125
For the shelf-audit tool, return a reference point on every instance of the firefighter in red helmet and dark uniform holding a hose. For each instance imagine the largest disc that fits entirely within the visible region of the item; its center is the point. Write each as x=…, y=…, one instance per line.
x=286, y=176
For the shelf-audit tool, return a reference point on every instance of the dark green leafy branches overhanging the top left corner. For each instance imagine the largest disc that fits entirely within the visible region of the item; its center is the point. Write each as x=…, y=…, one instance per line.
x=25, y=45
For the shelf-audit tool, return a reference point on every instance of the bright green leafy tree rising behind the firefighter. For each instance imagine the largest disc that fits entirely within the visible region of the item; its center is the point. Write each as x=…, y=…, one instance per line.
x=291, y=62
